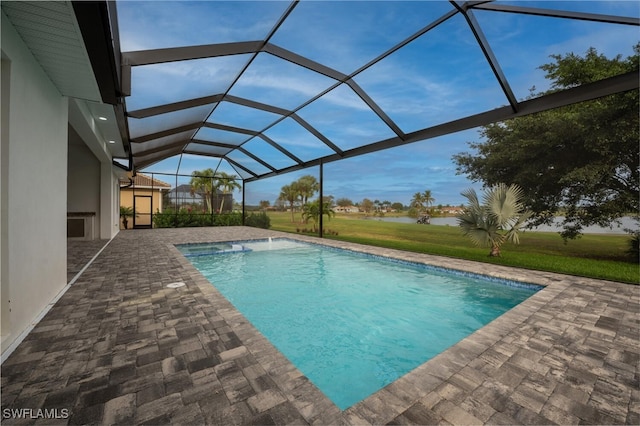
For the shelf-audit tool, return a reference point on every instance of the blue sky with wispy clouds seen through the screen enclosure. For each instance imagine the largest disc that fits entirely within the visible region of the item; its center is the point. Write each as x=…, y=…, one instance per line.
x=437, y=78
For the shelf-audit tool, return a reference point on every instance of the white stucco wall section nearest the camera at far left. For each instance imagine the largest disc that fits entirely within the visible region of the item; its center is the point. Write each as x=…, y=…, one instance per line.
x=36, y=199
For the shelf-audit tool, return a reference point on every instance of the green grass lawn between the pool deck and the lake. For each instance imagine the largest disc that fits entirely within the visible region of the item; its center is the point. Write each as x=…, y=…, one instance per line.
x=597, y=256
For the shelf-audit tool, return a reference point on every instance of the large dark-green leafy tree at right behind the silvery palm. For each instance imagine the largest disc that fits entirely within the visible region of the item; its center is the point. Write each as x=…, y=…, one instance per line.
x=580, y=160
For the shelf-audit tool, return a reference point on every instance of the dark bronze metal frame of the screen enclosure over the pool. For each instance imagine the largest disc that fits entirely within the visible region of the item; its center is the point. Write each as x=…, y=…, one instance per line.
x=182, y=139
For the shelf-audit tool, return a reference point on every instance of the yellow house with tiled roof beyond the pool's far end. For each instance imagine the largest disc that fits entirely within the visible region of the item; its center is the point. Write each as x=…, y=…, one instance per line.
x=145, y=195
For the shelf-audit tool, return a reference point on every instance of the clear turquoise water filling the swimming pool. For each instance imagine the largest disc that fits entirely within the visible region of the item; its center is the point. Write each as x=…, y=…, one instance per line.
x=353, y=323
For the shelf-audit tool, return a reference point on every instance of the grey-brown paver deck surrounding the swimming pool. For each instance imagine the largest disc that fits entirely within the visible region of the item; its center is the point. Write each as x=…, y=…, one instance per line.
x=120, y=347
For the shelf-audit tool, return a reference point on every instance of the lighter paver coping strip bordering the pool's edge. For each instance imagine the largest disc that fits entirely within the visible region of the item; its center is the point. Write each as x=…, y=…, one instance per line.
x=392, y=400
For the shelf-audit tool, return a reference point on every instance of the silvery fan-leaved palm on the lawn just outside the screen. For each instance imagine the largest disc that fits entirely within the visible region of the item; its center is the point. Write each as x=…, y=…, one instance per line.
x=500, y=218
